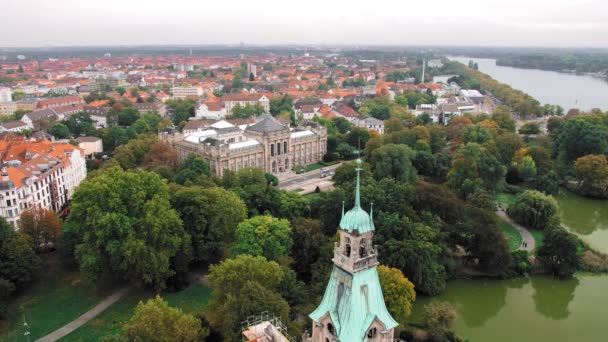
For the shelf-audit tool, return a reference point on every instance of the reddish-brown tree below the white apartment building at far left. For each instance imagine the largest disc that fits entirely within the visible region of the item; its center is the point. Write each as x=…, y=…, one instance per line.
x=41, y=225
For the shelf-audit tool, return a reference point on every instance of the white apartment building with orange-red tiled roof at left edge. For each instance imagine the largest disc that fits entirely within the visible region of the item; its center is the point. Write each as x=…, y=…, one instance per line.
x=38, y=173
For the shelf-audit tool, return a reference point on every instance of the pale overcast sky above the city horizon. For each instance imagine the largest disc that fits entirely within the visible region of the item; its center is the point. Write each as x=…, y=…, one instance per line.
x=568, y=23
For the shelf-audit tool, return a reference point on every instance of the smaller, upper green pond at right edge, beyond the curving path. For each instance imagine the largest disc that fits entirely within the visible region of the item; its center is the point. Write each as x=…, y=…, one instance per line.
x=587, y=218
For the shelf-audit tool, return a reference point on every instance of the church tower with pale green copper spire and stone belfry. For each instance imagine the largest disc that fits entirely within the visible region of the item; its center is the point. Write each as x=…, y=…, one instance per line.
x=353, y=307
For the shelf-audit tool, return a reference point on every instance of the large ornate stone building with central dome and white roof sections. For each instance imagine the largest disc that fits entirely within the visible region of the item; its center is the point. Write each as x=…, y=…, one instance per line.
x=266, y=144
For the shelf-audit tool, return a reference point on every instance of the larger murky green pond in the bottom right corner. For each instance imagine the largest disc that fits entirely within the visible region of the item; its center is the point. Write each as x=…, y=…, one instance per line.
x=539, y=308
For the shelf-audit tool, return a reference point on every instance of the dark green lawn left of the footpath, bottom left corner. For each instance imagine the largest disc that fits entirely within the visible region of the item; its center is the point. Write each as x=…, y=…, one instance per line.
x=57, y=298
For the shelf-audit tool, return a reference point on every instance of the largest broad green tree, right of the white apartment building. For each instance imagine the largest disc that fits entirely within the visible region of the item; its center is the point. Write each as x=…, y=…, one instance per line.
x=127, y=227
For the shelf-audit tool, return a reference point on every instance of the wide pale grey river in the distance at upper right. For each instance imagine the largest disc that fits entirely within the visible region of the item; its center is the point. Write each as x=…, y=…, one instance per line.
x=548, y=86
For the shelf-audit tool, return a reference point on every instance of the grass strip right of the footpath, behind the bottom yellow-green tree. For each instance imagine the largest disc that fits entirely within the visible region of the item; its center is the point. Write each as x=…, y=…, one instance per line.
x=190, y=300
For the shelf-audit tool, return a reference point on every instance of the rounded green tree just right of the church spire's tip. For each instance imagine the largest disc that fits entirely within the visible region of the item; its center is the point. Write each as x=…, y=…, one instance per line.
x=395, y=161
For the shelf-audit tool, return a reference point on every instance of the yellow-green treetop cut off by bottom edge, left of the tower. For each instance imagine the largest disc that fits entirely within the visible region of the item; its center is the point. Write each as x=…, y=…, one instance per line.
x=156, y=321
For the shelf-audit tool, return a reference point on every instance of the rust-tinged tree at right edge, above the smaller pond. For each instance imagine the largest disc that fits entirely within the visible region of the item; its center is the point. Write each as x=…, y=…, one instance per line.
x=592, y=175
